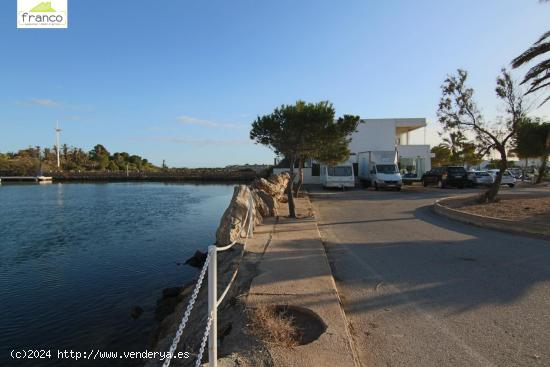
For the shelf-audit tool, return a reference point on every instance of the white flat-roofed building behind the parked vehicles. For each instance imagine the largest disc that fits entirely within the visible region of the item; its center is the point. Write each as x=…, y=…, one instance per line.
x=385, y=135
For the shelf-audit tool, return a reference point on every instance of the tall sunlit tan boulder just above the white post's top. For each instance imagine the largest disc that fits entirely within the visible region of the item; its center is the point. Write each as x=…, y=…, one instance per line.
x=232, y=222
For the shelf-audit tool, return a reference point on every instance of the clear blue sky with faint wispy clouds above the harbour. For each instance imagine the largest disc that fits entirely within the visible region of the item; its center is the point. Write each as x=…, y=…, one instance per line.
x=182, y=80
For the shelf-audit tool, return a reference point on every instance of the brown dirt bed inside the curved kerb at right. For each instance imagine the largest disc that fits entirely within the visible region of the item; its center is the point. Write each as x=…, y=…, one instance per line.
x=532, y=209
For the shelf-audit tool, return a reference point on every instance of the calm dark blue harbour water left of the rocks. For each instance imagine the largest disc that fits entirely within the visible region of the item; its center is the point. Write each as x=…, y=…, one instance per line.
x=75, y=259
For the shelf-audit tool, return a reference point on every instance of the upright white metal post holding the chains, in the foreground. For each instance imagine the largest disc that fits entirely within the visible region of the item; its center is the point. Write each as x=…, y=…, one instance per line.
x=212, y=307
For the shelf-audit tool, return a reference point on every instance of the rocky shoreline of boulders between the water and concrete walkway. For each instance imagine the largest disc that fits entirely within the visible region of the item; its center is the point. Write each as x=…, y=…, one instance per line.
x=233, y=340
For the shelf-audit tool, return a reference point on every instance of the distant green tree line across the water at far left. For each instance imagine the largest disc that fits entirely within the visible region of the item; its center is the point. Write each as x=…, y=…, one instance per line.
x=36, y=160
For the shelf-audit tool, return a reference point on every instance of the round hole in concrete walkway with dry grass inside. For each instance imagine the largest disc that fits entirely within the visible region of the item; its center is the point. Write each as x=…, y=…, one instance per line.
x=286, y=326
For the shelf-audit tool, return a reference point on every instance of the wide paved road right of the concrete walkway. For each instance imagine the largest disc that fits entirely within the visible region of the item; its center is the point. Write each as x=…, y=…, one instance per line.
x=420, y=290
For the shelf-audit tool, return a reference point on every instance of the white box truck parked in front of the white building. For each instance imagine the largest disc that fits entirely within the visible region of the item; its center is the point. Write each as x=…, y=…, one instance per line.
x=379, y=169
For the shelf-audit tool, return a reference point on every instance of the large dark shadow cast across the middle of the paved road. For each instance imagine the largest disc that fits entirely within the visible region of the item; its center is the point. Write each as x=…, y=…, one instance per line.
x=486, y=268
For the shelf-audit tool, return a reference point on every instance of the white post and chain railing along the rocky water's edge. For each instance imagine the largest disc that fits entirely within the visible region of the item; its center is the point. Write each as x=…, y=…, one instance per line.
x=211, y=263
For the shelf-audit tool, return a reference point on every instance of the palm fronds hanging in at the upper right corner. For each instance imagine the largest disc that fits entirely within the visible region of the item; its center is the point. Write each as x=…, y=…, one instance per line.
x=539, y=75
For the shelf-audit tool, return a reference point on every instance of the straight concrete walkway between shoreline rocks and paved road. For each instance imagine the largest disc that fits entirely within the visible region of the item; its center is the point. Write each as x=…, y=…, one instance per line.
x=294, y=271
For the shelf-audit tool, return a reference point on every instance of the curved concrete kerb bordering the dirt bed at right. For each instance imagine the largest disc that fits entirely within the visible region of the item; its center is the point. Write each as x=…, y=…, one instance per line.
x=504, y=225
